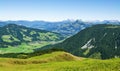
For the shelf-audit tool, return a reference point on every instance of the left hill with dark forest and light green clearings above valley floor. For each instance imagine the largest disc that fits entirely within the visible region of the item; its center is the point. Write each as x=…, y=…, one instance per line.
x=13, y=35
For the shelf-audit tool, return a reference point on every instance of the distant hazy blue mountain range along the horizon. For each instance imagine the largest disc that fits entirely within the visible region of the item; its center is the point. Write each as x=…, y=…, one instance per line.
x=66, y=27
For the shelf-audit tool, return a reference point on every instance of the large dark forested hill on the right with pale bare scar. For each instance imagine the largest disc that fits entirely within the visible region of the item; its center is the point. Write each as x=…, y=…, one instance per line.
x=99, y=41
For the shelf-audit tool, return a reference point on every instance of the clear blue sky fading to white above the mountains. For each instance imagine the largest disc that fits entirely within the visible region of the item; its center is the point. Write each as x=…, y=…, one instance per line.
x=57, y=10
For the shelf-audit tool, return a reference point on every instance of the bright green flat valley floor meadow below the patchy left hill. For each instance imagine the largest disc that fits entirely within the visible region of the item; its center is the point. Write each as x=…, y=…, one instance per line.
x=24, y=47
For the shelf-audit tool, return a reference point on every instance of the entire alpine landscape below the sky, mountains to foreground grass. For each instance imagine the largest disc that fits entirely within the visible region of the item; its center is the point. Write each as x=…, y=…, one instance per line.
x=60, y=46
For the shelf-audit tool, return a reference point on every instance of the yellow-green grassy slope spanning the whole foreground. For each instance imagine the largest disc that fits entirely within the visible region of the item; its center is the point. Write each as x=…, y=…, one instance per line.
x=58, y=61
